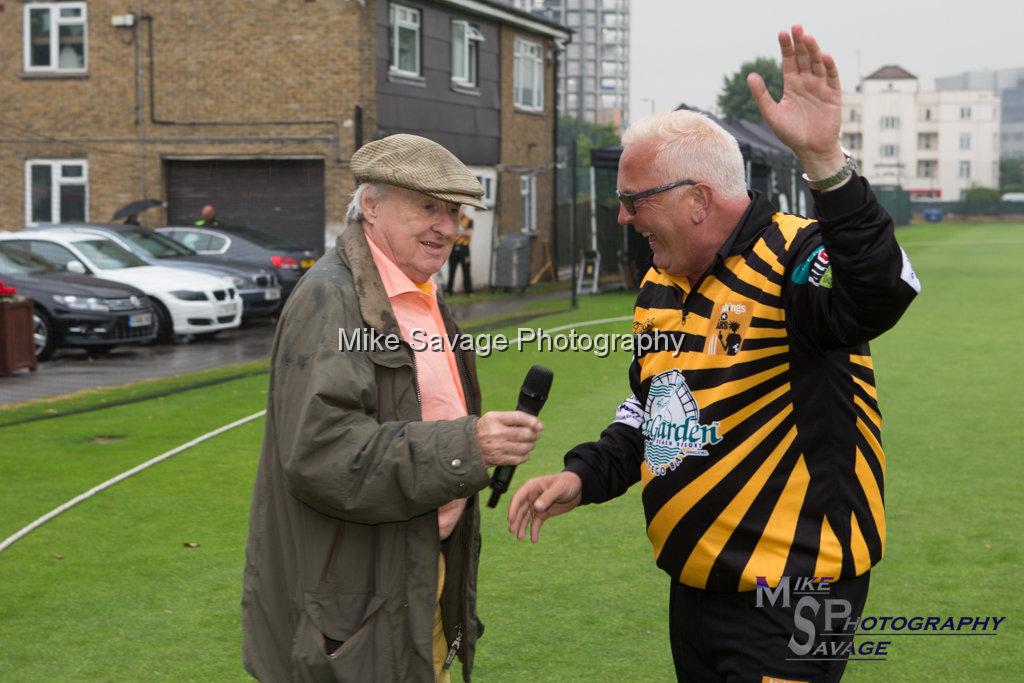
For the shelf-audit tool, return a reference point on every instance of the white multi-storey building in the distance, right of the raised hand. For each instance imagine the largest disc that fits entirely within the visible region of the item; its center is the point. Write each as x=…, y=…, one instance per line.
x=925, y=120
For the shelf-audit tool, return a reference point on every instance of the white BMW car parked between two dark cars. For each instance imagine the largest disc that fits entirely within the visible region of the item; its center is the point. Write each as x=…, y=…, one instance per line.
x=186, y=303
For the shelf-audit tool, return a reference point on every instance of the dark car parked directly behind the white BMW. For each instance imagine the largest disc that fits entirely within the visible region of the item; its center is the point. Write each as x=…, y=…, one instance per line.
x=257, y=283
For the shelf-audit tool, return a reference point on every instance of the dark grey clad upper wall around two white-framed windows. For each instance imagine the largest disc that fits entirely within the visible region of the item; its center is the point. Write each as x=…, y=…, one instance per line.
x=464, y=120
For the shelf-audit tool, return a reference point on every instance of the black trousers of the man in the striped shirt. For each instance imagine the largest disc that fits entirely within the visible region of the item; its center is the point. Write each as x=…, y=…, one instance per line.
x=727, y=638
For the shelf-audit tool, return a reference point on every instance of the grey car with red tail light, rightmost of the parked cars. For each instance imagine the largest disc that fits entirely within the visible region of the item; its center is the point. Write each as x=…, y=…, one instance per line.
x=290, y=262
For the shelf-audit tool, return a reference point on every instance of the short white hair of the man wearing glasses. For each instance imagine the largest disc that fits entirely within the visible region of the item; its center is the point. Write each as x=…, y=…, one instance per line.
x=693, y=146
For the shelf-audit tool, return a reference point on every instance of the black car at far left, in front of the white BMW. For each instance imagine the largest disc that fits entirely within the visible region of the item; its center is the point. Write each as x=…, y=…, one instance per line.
x=76, y=311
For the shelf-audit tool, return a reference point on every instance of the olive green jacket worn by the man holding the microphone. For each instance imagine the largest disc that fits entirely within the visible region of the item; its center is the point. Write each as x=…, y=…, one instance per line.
x=344, y=539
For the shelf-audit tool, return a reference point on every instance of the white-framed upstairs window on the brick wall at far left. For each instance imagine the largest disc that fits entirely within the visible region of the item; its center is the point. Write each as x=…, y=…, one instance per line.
x=55, y=37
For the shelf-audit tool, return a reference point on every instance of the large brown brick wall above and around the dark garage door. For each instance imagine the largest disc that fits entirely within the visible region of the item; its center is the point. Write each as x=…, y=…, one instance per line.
x=230, y=62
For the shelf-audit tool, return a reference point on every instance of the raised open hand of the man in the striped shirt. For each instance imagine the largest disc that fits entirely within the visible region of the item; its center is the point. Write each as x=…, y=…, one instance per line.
x=808, y=118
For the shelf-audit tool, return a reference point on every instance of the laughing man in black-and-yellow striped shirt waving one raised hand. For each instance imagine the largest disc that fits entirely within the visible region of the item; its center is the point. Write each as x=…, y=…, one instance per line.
x=758, y=447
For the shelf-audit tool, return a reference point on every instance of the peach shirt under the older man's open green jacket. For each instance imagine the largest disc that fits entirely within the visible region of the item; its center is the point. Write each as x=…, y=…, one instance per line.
x=416, y=309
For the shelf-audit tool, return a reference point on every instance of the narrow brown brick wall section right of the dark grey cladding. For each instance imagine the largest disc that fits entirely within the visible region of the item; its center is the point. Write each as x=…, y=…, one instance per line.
x=527, y=149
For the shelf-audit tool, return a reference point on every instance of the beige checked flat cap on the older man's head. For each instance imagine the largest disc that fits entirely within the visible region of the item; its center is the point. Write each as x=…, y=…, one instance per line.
x=416, y=163
